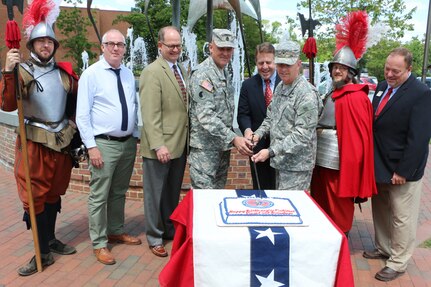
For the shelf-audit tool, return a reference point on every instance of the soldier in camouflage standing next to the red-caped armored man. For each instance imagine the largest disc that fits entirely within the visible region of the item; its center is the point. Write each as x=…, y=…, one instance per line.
x=291, y=120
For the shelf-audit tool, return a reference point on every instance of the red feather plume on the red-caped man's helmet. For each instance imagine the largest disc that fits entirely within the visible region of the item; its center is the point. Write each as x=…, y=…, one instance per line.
x=352, y=31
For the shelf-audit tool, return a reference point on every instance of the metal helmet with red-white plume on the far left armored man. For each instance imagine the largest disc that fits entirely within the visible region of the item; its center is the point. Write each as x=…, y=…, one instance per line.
x=38, y=20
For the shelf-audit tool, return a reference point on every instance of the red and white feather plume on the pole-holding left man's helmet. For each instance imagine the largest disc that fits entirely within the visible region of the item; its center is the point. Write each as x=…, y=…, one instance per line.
x=36, y=12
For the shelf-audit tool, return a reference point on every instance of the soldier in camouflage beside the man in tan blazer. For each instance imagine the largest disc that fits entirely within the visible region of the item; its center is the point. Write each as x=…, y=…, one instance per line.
x=211, y=116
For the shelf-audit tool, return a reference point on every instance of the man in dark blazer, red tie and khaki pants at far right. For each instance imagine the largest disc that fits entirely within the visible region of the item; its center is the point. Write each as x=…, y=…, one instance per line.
x=402, y=128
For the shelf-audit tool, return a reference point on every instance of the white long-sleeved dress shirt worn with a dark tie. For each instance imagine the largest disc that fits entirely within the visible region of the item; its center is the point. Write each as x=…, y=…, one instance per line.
x=99, y=109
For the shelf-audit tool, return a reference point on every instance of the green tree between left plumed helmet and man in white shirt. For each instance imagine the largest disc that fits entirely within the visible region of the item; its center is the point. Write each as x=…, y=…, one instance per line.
x=74, y=27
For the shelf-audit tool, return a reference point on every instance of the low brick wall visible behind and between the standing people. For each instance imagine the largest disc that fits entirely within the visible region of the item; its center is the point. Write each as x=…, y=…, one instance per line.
x=239, y=176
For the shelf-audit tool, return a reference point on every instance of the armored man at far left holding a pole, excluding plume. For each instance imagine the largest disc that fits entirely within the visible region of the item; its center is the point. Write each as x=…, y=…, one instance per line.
x=49, y=100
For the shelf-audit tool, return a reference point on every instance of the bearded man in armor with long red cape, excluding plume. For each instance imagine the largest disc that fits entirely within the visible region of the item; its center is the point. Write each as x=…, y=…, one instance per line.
x=344, y=171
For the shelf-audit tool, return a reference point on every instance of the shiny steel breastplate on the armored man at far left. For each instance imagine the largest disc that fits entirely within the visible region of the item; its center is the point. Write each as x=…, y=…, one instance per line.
x=45, y=104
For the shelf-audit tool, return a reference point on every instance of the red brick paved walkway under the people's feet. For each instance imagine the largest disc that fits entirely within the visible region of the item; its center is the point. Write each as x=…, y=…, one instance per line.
x=137, y=266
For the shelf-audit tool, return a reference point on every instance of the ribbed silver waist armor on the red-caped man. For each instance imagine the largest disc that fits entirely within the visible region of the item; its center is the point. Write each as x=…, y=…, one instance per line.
x=327, y=149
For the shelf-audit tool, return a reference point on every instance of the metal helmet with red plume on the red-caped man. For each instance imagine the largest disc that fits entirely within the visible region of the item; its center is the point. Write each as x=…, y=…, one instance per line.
x=351, y=39
